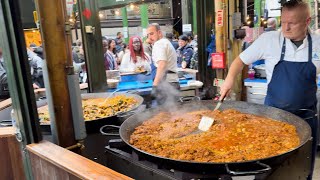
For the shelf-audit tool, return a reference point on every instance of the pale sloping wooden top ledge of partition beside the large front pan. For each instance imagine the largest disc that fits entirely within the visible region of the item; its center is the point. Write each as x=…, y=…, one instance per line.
x=72, y=162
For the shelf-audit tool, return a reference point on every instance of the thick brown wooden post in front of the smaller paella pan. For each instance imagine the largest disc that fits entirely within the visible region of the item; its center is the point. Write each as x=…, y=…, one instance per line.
x=57, y=45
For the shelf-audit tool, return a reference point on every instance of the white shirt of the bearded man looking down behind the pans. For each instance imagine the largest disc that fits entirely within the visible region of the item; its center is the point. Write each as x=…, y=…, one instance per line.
x=163, y=50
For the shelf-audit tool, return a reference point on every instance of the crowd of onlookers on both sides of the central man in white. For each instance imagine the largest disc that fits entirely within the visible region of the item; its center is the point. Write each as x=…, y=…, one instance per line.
x=137, y=55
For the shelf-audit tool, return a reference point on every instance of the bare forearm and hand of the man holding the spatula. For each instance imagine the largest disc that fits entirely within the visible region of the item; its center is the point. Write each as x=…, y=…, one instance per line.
x=235, y=69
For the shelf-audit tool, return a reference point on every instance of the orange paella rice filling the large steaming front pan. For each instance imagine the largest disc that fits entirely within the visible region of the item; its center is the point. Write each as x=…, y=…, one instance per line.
x=234, y=137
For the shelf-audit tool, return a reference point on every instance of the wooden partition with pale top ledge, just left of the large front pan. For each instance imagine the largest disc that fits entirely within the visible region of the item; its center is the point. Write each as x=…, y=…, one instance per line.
x=50, y=161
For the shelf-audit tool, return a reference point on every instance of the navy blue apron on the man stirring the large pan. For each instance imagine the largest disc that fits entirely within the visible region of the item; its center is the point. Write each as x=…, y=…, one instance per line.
x=293, y=88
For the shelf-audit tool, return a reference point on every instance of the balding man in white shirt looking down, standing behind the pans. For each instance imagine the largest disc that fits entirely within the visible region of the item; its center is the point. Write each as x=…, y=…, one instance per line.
x=165, y=60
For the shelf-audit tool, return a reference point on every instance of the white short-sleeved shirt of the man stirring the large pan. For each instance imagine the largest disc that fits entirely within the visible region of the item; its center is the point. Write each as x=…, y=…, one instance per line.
x=268, y=47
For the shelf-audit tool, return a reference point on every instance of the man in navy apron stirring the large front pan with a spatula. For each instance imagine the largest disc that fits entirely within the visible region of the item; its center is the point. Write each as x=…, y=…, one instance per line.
x=292, y=64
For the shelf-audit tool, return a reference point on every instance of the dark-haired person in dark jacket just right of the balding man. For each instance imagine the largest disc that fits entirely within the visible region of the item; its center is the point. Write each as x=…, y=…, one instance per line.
x=184, y=52
